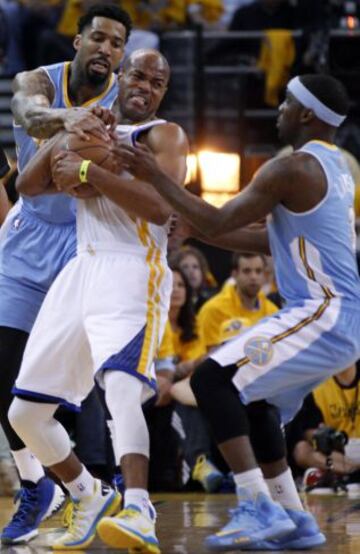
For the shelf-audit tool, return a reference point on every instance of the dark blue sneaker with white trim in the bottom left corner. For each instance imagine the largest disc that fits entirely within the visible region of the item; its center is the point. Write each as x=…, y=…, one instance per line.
x=36, y=503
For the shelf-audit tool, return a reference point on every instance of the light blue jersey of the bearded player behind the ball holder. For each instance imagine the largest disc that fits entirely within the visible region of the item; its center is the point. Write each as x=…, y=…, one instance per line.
x=56, y=208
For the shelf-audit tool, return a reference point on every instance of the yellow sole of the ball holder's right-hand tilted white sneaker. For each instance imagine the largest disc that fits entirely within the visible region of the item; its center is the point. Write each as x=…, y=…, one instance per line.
x=113, y=535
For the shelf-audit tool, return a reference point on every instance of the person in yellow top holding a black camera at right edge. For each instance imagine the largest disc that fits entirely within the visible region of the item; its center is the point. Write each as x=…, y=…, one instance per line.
x=316, y=437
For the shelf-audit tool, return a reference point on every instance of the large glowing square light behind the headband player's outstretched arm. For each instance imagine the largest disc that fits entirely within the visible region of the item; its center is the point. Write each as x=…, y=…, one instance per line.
x=220, y=172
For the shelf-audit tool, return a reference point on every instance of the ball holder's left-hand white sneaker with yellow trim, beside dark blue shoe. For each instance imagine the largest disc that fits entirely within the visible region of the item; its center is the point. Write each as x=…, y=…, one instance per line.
x=85, y=515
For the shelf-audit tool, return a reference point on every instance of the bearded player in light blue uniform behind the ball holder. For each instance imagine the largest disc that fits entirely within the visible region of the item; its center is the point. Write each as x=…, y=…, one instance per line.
x=39, y=237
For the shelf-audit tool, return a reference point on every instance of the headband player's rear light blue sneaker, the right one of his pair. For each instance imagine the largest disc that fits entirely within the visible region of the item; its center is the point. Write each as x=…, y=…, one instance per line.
x=306, y=535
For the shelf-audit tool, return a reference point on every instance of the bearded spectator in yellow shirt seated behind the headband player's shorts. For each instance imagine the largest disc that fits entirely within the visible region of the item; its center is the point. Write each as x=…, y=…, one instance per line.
x=242, y=298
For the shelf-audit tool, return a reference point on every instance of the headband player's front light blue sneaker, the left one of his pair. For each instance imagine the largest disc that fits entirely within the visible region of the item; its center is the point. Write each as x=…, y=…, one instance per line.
x=252, y=521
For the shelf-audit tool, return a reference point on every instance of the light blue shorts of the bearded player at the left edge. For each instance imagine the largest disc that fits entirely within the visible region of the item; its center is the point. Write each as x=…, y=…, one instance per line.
x=32, y=253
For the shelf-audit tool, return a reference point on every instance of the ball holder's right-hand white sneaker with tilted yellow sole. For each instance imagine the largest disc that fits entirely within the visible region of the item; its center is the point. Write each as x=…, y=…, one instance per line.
x=130, y=529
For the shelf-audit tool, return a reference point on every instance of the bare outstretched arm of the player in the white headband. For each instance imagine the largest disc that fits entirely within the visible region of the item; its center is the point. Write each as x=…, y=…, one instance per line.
x=267, y=189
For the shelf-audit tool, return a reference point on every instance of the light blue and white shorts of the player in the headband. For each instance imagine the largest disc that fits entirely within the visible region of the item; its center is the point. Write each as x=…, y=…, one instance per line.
x=283, y=357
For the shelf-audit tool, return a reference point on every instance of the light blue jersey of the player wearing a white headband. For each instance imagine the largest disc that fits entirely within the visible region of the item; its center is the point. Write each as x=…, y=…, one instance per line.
x=314, y=251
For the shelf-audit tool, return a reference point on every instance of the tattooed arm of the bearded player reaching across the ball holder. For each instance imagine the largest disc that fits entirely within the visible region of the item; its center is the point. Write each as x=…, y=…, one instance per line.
x=31, y=107
